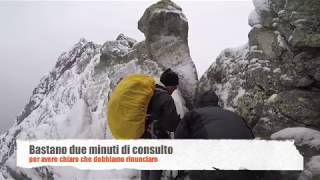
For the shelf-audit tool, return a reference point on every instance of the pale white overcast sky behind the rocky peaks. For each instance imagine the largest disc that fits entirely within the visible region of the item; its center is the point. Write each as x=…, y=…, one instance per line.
x=34, y=34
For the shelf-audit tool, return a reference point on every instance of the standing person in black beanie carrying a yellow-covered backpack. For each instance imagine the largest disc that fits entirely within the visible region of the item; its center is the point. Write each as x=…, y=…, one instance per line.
x=141, y=106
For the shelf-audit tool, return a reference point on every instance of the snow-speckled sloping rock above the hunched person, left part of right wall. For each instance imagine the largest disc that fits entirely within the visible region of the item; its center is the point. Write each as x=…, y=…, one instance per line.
x=225, y=75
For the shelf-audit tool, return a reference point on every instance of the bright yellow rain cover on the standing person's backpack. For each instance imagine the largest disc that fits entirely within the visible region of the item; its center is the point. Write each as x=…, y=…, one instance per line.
x=128, y=105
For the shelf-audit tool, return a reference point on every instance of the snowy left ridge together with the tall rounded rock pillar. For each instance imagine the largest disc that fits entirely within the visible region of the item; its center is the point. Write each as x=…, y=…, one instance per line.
x=70, y=101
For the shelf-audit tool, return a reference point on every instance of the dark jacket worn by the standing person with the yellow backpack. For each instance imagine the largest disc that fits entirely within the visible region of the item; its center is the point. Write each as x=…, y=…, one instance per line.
x=162, y=109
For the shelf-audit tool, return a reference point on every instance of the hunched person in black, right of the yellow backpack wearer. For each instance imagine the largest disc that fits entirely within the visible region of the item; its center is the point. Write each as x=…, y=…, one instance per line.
x=209, y=121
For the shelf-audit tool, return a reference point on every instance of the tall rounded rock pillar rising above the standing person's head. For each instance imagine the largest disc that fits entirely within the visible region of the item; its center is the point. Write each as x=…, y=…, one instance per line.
x=166, y=30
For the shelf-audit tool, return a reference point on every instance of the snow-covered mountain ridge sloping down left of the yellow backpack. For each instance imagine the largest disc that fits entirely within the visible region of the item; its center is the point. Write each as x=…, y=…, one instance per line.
x=70, y=103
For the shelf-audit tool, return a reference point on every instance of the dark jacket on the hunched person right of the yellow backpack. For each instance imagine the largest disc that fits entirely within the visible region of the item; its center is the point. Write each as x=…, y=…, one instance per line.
x=212, y=123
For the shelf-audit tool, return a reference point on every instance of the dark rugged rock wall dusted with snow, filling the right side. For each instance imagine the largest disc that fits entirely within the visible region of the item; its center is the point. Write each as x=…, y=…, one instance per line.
x=273, y=81
